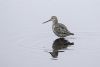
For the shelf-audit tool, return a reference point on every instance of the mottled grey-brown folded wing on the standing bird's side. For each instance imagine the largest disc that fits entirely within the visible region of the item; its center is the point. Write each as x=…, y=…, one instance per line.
x=61, y=29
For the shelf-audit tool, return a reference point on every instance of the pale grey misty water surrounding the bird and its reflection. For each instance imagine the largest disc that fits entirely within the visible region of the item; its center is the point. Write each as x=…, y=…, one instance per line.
x=25, y=41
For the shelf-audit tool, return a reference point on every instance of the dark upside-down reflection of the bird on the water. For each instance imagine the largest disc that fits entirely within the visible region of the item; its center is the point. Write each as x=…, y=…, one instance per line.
x=58, y=45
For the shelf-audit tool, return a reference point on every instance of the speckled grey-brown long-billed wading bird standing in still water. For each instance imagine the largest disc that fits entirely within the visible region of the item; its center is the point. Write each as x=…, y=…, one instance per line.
x=58, y=28
